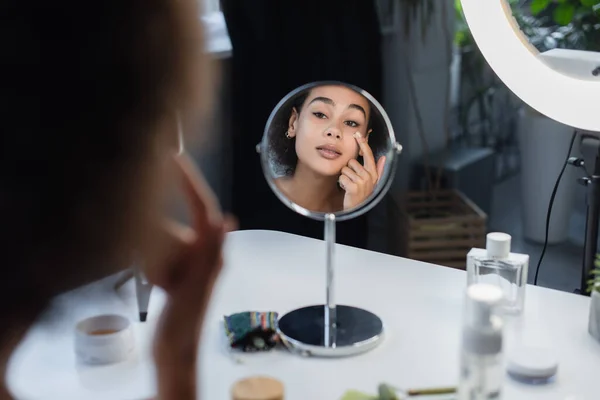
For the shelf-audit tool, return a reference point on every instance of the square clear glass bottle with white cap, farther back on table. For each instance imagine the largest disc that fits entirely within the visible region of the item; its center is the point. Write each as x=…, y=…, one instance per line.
x=496, y=265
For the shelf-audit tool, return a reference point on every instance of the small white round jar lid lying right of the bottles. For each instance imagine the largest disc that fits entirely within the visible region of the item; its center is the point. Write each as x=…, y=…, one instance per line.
x=531, y=363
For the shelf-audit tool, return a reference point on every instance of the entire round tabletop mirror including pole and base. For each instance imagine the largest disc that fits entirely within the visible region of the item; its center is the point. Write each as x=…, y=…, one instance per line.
x=329, y=153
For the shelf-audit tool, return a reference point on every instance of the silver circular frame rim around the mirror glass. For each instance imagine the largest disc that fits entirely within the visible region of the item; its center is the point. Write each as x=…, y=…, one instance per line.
x=373, y=199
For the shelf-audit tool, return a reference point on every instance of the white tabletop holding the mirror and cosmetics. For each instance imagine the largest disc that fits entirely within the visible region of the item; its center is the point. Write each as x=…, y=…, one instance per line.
x=421, y=305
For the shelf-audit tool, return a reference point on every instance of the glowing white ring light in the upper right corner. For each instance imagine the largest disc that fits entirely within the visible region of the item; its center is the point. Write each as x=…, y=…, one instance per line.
x=537, y=78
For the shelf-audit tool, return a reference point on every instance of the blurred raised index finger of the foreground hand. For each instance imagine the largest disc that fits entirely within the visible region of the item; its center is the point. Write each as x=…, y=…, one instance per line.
x=203, y=203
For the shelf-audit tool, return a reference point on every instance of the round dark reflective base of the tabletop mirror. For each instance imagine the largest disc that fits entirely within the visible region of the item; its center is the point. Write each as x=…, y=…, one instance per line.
x=357, y=331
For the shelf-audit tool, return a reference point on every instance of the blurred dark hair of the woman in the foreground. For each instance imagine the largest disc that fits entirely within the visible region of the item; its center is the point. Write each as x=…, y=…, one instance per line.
x=82, y=91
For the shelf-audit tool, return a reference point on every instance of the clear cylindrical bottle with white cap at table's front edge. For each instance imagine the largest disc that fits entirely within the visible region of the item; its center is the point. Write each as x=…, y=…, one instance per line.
x=481, y=372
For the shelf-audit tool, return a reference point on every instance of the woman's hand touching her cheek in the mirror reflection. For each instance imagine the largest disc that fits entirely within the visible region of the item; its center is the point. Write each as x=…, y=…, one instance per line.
x=358, y=181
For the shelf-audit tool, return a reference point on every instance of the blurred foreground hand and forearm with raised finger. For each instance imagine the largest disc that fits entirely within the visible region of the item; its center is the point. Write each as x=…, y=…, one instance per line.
x=187, y=274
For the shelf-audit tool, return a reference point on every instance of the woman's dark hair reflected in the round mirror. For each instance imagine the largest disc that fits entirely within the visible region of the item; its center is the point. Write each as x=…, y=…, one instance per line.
x=282, y=150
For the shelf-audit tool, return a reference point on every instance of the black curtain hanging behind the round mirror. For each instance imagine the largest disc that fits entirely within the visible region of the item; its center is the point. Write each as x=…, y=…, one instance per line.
x=279, y=45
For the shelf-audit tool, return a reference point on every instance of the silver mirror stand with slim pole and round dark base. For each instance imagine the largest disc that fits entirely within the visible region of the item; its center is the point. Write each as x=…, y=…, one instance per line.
x=330, y=330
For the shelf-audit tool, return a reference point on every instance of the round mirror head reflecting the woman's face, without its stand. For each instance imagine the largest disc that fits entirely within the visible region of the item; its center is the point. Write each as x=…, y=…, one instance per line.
x=329, y=148
